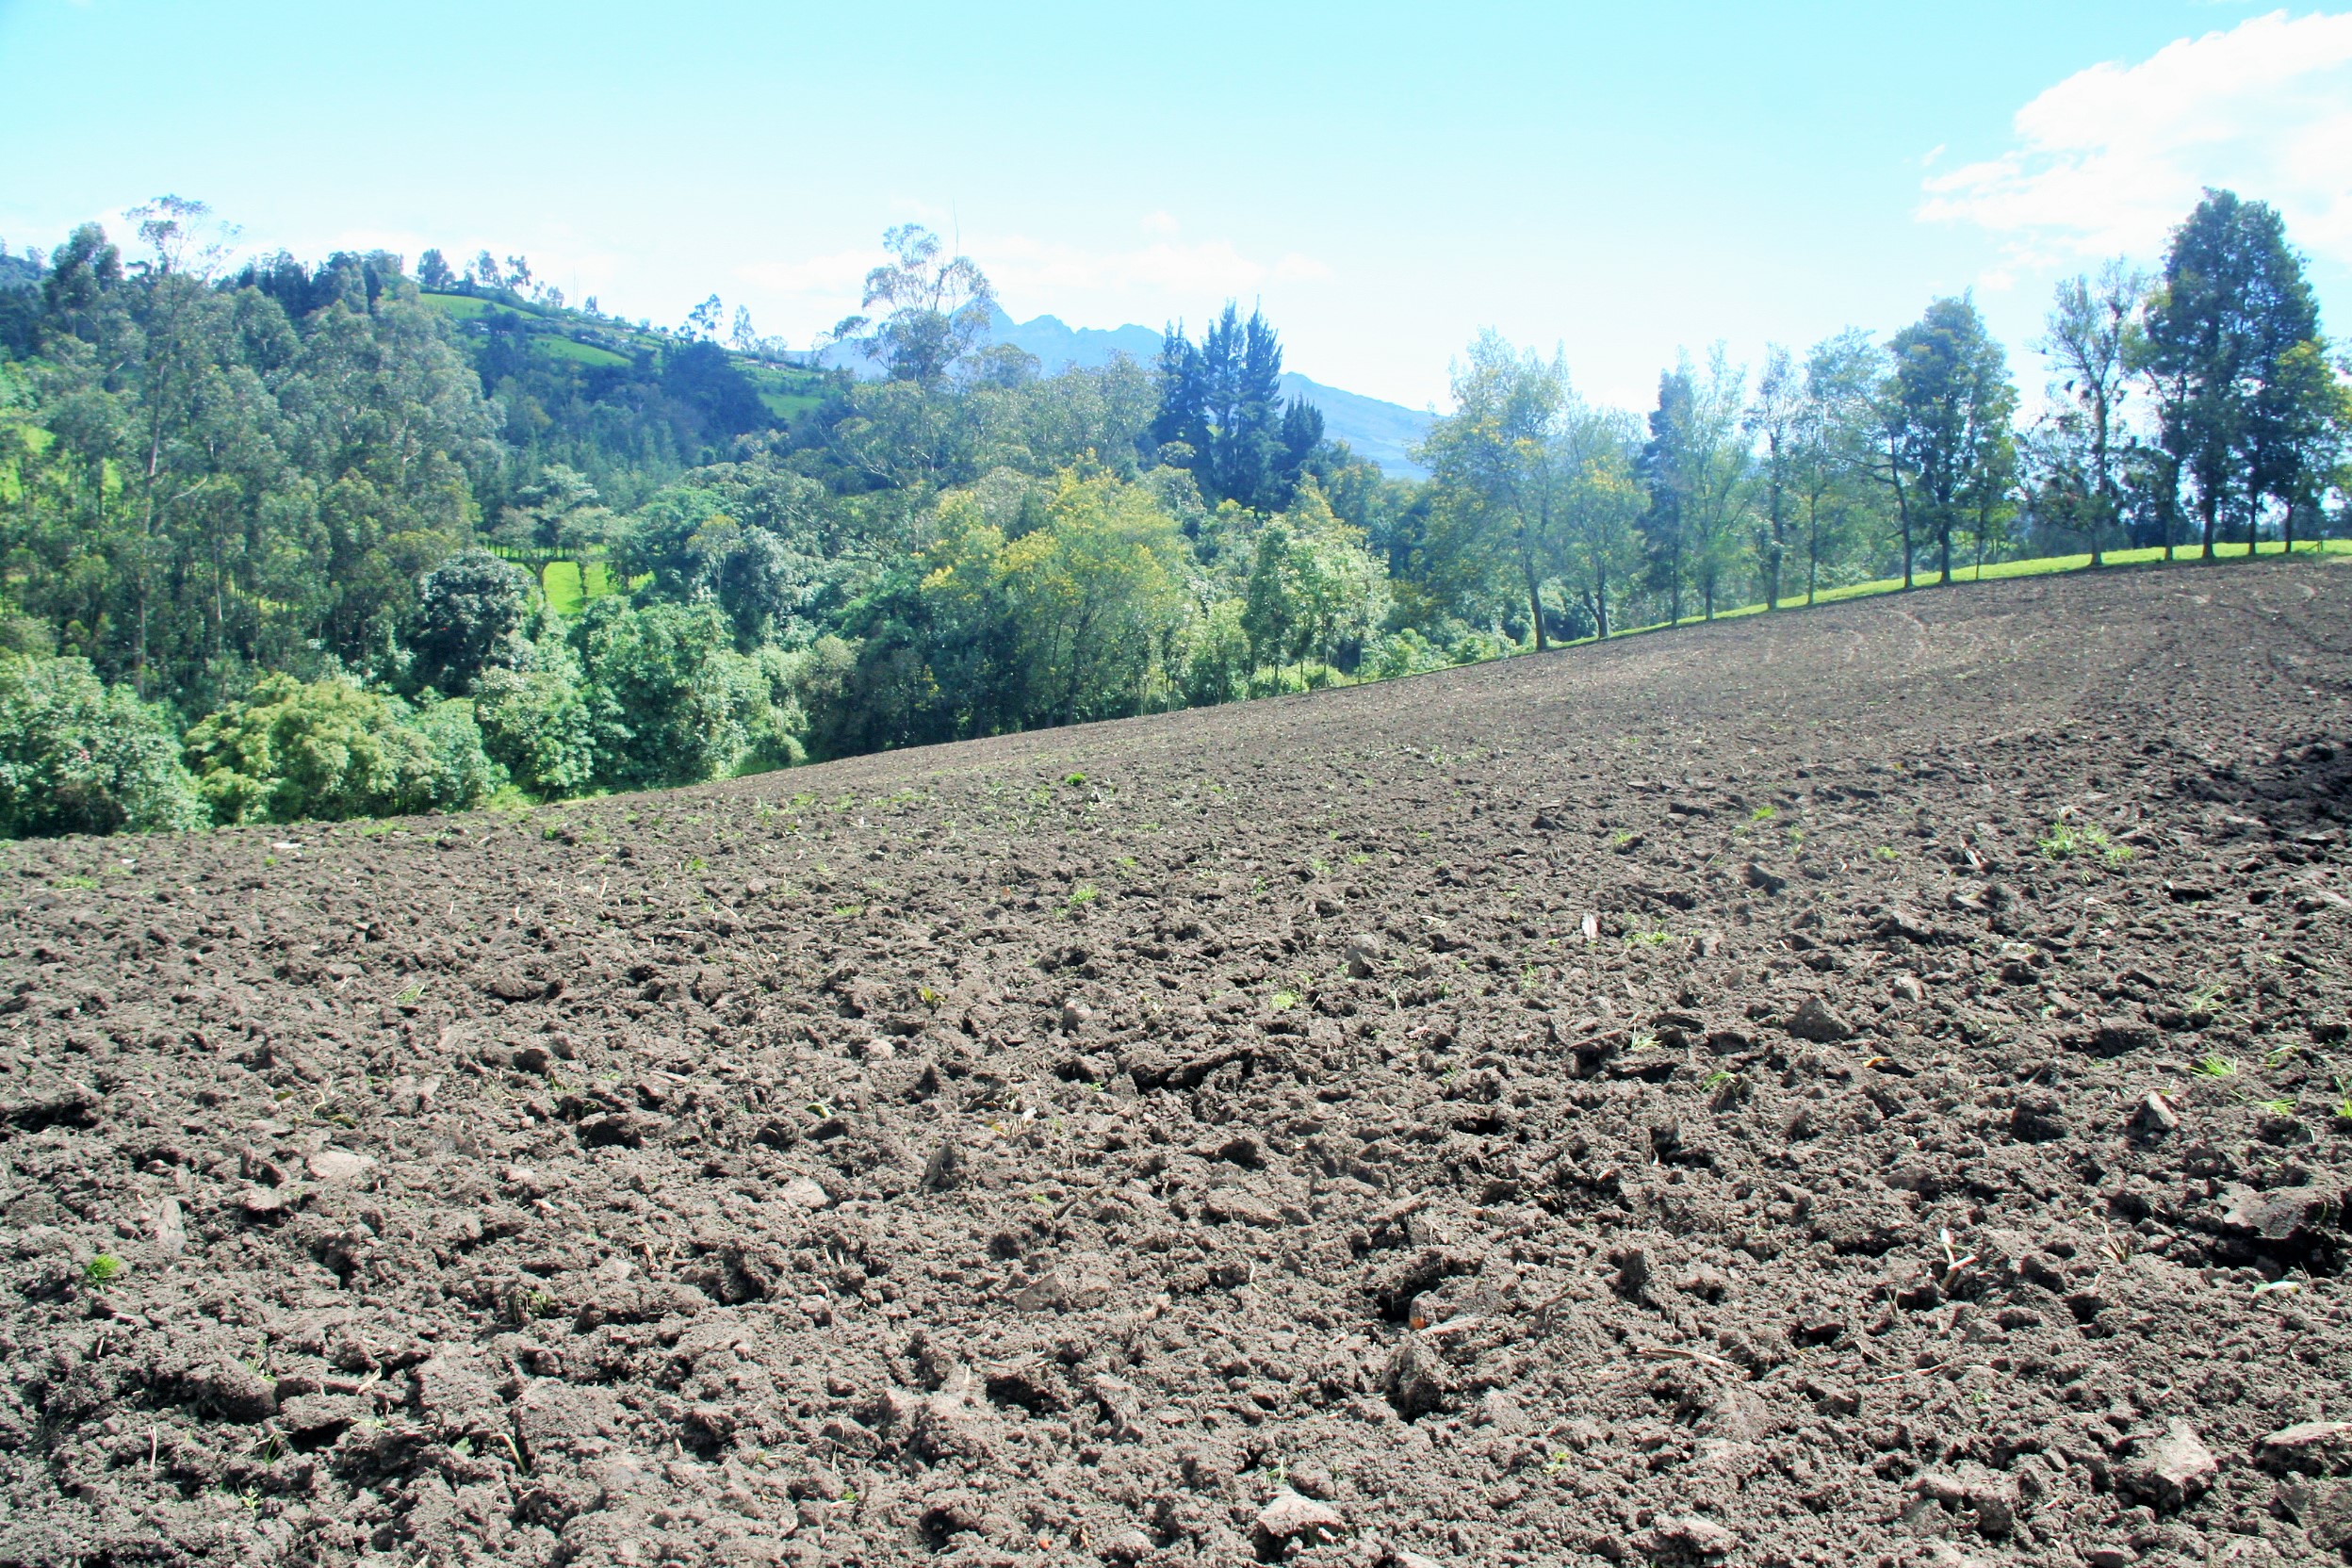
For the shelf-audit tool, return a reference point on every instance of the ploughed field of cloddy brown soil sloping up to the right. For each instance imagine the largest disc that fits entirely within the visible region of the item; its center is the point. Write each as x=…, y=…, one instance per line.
x=1655, y=1104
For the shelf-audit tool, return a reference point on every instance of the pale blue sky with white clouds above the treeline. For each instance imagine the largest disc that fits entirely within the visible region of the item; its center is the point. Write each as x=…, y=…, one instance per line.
x=1389, y=180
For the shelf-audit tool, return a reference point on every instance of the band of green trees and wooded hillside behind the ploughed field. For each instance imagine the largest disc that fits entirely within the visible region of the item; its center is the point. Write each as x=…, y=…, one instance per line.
x=293, y=540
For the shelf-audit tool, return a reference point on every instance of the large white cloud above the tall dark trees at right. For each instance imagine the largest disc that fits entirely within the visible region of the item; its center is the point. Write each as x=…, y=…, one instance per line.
x=2113, y=156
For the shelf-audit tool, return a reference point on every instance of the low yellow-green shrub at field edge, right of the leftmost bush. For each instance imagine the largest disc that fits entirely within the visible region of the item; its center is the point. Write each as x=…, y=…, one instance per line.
x=333, y=751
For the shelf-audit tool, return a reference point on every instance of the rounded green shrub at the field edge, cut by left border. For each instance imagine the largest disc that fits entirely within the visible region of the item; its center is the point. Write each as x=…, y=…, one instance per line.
x=83, y=758
